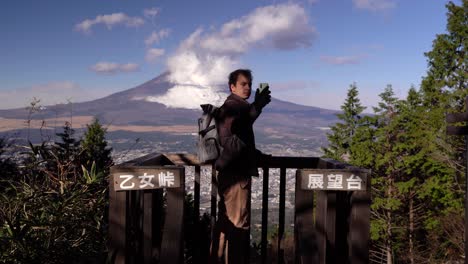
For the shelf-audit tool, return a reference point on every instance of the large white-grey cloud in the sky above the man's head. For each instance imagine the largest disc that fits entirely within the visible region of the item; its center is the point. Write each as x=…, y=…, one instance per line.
x=282, y=27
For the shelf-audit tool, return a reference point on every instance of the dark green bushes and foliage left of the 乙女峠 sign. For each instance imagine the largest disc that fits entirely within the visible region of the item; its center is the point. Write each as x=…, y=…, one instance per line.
x=56, y=209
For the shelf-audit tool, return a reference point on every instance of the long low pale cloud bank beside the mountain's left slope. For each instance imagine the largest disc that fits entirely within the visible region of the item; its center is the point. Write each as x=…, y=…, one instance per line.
x=50, y=93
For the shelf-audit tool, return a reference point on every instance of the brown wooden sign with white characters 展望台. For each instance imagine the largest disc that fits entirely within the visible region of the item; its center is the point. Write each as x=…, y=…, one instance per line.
x=333, y=180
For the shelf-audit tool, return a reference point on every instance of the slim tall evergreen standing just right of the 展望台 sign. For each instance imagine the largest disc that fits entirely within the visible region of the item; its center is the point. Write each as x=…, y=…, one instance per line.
x=386, y=202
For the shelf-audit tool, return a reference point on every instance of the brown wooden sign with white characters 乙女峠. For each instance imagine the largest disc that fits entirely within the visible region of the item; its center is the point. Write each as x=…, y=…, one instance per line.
x=146, y=177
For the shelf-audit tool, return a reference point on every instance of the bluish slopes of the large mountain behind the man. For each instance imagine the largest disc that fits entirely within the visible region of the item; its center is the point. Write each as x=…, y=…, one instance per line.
x=120, y=109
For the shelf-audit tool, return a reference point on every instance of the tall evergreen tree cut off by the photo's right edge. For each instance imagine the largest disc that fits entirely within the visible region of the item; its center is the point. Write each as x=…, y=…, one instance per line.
x=445, y=86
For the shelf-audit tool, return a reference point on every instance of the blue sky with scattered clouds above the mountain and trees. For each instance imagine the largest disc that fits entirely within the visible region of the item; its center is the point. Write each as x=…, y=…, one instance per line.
x=81, y=50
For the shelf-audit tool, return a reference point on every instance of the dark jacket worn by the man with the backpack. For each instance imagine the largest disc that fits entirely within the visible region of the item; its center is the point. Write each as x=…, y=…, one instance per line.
x=235, y=120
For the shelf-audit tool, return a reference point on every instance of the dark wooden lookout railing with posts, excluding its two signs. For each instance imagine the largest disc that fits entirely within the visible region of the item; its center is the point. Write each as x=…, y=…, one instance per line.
x=334, y=229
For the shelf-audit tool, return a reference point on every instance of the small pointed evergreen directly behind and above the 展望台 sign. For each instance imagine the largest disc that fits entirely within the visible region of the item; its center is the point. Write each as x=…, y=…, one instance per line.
x=340, y=139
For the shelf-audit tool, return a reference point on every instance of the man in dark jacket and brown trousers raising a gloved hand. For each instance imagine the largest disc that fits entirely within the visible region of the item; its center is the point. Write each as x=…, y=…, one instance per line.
x=236, y=164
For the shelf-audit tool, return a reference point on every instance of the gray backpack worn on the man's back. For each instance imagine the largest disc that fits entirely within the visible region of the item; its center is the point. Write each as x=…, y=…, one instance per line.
x=208, y=145
